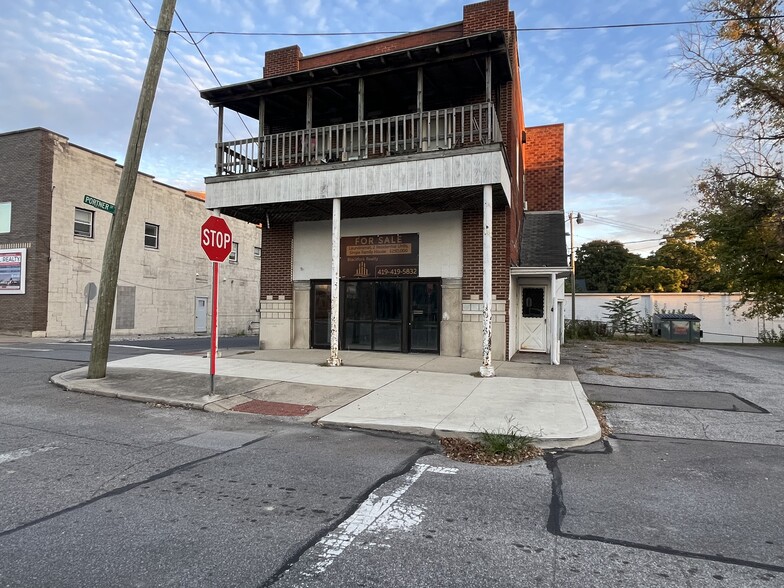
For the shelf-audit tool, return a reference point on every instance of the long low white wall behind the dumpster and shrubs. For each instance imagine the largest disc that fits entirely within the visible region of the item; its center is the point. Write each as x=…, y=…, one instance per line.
x=718, y=322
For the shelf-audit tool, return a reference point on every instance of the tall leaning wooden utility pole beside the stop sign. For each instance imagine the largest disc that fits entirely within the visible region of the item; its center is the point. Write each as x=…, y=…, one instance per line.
x=104, y=309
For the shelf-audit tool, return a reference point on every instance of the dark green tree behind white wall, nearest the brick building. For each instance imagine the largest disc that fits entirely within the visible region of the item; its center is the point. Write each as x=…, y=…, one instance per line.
x=601, y=264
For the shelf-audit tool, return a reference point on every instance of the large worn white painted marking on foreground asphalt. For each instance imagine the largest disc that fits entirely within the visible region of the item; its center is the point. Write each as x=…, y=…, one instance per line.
x=376, y=513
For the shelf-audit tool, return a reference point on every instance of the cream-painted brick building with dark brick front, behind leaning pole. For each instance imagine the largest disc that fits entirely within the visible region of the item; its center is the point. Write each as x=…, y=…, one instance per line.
x=52, y=245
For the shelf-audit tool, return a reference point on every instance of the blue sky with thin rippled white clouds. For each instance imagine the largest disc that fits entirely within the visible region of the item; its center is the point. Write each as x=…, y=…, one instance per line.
x=637, y=134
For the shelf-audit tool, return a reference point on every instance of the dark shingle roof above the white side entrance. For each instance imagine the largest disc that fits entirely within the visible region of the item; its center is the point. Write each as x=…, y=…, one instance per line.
x=544, y=240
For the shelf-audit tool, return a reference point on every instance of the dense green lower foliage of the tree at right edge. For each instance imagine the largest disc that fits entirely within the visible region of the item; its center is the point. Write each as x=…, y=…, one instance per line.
x=745, y=218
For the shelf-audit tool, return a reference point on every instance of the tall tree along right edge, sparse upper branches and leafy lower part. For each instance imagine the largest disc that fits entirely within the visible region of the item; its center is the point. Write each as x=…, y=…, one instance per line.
x=739, y=50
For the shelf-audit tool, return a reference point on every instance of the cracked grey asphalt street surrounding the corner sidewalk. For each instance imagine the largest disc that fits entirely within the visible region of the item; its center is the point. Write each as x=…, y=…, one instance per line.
x=104, y=492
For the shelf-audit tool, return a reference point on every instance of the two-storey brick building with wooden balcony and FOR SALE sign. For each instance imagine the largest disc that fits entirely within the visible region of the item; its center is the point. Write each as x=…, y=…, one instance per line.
x=406, y=205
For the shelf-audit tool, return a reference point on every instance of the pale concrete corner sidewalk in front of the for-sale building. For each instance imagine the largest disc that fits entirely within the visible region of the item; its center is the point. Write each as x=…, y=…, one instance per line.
x=416, y=394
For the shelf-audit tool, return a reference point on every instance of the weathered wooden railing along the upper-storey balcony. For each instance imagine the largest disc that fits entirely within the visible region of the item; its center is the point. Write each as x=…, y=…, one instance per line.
x=447, y=128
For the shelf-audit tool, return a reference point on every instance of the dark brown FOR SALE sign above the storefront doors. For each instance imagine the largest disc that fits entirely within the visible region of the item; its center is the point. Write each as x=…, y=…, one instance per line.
x=380, y=256
